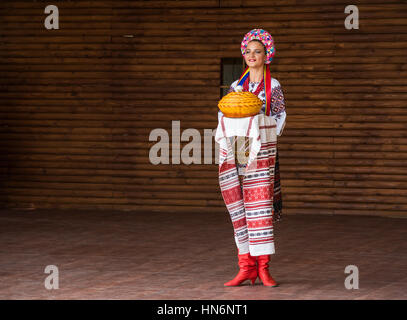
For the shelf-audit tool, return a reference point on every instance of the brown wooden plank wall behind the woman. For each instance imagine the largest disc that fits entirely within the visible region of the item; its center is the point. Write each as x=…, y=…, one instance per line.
x=78, y=104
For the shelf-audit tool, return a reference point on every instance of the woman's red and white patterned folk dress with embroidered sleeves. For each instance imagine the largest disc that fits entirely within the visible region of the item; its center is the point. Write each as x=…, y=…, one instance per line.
x=255, y=203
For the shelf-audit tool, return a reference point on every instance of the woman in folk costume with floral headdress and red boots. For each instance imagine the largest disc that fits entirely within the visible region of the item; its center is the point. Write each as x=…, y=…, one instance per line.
x=253, y=228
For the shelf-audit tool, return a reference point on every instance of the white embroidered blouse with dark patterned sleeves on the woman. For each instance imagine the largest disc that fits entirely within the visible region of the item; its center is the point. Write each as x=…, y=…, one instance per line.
x=277, y=102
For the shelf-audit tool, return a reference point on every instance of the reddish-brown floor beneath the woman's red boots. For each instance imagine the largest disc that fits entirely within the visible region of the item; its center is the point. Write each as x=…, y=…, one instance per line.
x=128, y=255
